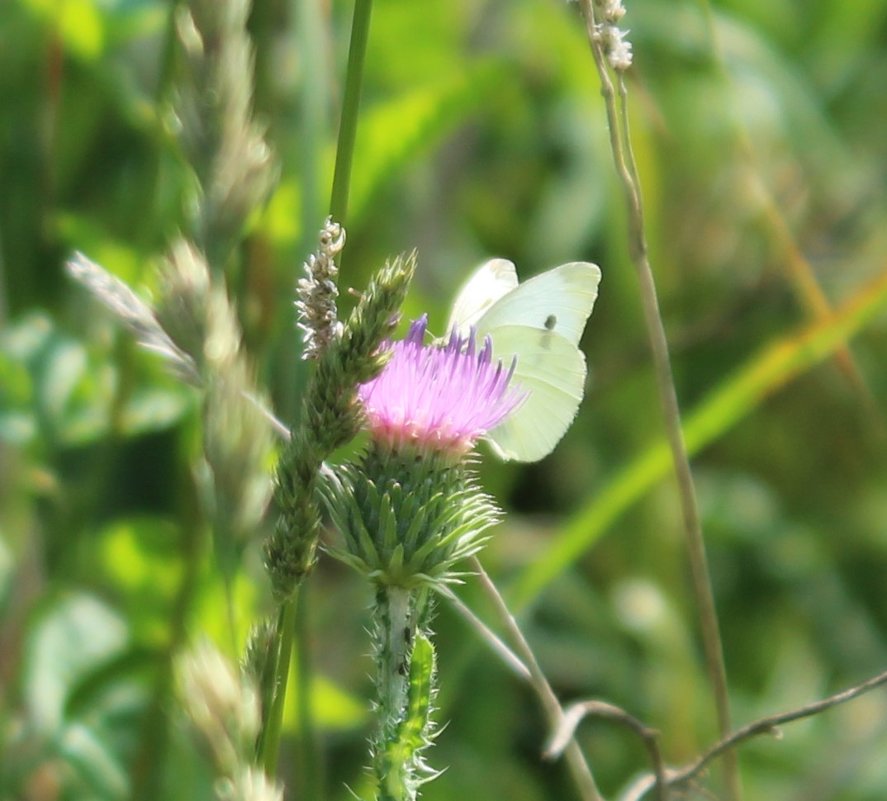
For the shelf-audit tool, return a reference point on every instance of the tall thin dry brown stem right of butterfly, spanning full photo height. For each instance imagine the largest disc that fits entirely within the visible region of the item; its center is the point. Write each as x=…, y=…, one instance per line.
x=620, y=143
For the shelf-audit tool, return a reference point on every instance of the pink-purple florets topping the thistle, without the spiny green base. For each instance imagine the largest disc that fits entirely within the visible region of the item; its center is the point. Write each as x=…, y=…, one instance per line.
x=440, y=398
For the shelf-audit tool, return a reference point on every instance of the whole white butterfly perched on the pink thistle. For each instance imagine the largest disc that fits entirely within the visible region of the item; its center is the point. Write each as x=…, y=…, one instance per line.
x=540, y=321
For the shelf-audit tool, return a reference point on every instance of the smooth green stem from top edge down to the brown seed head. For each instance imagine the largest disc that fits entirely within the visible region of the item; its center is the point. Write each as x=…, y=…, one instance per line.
x=360, y=30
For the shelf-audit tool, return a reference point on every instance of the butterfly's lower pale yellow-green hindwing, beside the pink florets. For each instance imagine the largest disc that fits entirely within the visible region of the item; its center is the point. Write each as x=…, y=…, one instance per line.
x=552, y=371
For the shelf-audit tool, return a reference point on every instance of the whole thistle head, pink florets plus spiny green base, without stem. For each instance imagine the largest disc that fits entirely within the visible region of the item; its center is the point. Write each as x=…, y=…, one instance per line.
x=409, y=508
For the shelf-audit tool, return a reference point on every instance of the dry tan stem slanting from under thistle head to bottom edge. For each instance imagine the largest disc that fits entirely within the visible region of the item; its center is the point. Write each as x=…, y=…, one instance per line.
x=579, y=768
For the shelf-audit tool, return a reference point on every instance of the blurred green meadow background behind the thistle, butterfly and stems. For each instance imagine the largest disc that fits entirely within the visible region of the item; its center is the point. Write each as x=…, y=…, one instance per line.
x=759, y=127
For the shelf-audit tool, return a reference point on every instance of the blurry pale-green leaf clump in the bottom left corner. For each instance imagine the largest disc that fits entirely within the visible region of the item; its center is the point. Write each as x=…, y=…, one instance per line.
x=80, y=700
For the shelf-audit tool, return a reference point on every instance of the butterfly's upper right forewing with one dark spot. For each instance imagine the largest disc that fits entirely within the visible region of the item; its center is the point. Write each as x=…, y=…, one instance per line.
x=558, y=301
